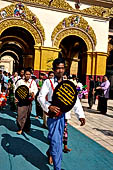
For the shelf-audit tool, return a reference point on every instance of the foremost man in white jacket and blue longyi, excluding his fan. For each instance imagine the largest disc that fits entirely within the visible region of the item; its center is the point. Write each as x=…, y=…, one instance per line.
x=56, y=124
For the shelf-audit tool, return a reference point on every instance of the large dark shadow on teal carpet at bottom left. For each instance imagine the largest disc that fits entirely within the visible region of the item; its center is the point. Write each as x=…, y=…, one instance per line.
x=17, y=146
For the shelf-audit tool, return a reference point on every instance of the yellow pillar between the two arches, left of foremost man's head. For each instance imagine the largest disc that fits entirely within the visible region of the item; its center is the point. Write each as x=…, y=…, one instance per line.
x=44, y=57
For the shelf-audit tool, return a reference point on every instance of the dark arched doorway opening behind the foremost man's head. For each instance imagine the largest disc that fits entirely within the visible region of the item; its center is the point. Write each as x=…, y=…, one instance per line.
x=74, y=51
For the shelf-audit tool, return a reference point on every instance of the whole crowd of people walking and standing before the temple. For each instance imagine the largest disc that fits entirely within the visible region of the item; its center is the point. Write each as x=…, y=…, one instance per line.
x=40, y=93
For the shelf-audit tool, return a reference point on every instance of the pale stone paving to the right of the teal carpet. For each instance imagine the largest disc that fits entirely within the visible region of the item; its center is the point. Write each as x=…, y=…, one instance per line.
x=98, y=127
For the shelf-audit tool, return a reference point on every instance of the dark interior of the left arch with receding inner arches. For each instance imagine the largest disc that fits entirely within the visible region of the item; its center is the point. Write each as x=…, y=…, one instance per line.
x=18, y=43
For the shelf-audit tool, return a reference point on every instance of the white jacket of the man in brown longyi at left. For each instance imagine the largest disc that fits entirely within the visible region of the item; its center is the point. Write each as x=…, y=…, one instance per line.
x=32, y=88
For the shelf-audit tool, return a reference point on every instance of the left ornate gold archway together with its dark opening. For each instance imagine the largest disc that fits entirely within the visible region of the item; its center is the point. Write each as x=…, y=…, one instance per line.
x=20, y=31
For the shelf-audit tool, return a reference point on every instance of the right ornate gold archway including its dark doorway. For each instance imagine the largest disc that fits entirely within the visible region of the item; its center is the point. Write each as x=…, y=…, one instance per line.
x=76, y=38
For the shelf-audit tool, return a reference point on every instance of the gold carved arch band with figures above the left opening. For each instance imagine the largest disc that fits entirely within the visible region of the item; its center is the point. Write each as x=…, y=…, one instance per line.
x=19, y=13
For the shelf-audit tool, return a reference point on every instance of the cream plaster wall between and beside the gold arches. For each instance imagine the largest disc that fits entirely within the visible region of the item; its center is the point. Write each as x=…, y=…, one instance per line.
x=50, y=19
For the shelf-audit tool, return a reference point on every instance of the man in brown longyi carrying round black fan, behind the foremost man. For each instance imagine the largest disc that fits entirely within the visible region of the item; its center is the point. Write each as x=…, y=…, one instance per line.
x=26, y=90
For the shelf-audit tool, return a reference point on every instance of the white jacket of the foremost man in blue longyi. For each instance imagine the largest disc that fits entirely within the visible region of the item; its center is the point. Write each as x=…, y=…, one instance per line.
x=47, y=90
